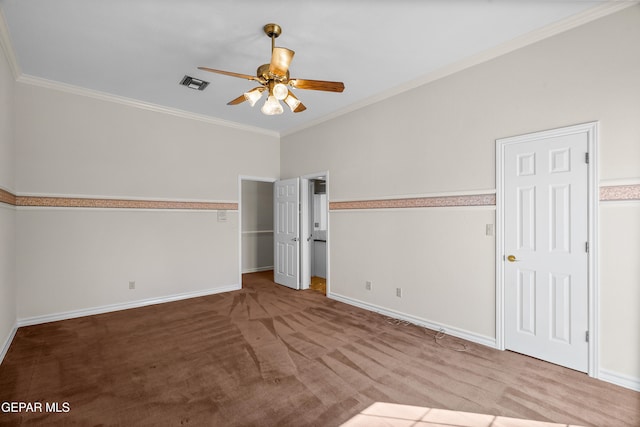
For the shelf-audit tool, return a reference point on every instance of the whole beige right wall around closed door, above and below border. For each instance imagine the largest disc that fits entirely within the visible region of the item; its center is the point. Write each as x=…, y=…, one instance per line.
x=440, y=138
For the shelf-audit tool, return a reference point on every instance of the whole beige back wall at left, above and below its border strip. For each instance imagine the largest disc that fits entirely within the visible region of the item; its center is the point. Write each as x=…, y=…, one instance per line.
x=74, y=259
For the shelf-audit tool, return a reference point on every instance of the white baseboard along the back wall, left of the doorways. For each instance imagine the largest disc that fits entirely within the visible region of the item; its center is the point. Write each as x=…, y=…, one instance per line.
x=36, y=320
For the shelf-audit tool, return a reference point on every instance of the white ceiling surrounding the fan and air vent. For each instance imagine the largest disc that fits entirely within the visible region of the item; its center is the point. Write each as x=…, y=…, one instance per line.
x=141, y=49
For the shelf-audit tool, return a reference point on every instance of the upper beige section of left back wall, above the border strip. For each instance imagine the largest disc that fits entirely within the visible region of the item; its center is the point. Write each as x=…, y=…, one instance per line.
x=69, y=144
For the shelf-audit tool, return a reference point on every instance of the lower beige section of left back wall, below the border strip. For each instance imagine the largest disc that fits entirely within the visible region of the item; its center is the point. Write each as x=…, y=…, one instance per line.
x=72, y=260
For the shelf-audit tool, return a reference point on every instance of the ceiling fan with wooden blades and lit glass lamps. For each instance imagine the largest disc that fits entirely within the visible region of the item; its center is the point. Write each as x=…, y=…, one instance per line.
x=274, y=79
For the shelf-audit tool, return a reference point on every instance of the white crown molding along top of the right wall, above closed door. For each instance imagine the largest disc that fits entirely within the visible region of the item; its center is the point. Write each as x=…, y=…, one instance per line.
x=592, y=14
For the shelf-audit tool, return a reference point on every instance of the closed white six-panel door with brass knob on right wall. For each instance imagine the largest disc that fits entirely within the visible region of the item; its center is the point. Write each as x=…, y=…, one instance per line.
x=546, y=288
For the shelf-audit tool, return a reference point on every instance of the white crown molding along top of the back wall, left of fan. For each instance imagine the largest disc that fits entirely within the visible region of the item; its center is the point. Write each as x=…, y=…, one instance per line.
x=103, y=96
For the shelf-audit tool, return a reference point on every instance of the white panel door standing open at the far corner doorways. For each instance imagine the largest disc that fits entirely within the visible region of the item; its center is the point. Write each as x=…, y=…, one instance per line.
x=287, y=233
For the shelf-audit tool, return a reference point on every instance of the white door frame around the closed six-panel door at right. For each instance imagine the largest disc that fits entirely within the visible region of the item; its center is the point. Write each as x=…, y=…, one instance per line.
x=591, y=129
